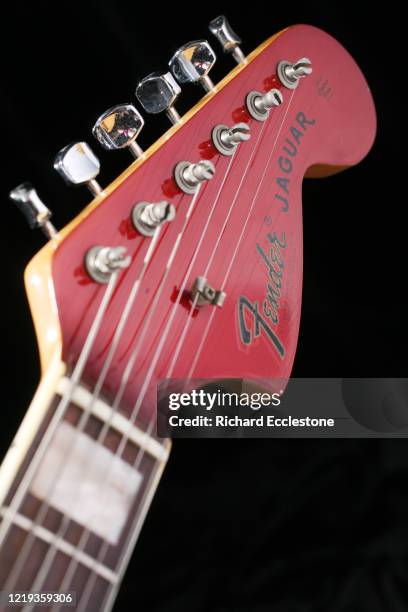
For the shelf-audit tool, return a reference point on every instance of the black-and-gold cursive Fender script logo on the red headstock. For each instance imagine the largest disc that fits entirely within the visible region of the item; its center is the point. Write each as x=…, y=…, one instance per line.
x=267, y=318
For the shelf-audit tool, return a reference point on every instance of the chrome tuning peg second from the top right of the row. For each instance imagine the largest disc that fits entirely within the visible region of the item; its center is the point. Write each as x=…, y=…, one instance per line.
x=192, y=63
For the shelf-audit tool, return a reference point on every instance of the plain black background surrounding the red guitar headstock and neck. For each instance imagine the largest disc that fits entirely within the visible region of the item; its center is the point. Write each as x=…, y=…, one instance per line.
x=236, y=525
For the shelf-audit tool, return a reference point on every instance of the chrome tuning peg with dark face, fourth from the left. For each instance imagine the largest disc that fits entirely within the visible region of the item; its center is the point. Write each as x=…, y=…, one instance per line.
x=157, y=93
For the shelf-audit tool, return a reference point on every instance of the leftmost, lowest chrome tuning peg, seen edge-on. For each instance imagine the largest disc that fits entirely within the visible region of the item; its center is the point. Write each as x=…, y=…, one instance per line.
x=34, y=210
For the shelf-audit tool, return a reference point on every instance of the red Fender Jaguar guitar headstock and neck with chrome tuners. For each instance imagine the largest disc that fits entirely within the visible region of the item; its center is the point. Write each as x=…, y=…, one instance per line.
x=188, y=265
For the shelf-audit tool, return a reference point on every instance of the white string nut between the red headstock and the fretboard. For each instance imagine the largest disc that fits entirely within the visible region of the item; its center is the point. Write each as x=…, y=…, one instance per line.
x=82, y=398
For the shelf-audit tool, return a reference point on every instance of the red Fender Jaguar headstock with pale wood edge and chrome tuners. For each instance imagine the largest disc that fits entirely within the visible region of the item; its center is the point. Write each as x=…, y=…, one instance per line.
x=202, y=233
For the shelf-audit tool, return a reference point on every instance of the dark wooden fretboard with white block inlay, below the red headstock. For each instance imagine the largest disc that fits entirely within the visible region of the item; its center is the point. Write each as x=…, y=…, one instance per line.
x=77, y=523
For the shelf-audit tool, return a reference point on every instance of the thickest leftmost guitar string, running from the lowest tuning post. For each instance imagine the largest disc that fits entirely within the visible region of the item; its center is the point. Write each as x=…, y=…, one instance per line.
x=24, y=485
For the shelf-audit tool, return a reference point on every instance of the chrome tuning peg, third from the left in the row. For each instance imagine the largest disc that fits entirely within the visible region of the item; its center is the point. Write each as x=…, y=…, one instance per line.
x=119, y=127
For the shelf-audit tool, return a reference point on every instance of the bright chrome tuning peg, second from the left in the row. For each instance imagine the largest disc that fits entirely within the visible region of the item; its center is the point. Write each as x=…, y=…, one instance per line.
x=78, y=165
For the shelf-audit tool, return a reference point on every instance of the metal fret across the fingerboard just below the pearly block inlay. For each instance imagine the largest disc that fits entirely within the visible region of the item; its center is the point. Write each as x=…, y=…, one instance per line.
x=62, y=545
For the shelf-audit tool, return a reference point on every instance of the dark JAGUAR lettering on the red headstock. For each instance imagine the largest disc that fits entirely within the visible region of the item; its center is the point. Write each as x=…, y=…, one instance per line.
x=285, y=163
